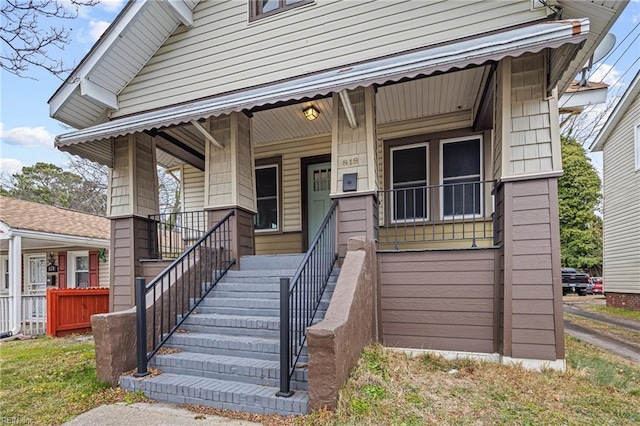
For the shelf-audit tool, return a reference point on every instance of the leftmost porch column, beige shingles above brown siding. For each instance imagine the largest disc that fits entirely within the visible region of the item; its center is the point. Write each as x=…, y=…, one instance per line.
x=133, y=195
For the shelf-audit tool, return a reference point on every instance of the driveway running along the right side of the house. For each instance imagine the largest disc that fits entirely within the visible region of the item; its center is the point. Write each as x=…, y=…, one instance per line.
x=628, y=348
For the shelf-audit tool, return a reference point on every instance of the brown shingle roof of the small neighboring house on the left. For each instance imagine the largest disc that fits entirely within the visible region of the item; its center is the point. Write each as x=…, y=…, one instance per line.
x=19, y=214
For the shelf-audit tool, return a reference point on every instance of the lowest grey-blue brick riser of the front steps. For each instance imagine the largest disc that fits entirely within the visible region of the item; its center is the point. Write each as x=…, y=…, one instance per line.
x=264, y=402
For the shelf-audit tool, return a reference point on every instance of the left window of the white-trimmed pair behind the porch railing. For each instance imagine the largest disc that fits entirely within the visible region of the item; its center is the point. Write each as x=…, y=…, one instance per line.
x=409, y=180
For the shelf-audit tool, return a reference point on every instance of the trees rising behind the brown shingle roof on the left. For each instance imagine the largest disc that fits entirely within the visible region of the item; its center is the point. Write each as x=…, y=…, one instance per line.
x=49, y=184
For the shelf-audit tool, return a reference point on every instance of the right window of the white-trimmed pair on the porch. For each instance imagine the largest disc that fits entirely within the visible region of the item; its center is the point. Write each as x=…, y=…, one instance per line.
x=460, y=174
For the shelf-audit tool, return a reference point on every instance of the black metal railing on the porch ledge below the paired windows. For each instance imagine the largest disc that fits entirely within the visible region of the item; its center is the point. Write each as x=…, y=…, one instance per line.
x=448, y=212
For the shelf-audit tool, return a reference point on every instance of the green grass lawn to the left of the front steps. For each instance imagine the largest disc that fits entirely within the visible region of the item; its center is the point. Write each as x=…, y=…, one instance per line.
x=49, y=381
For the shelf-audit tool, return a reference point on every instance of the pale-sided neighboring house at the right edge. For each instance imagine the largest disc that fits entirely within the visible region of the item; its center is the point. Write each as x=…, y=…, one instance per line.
x=619, y=140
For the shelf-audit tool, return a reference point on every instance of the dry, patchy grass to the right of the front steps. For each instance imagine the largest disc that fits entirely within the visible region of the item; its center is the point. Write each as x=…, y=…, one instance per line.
x=393, y=388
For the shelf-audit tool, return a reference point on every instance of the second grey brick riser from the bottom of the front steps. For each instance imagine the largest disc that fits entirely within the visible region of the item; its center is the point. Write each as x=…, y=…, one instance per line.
x=262, y=376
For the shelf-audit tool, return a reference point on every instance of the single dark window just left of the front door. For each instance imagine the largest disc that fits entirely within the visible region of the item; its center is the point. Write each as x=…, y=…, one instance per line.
x=267, y=198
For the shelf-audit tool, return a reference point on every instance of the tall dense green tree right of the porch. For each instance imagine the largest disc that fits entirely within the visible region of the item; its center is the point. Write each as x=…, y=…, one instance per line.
x=579, y=191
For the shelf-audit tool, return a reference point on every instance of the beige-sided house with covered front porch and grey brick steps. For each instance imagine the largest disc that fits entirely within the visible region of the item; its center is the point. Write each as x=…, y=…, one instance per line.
x=424, y=134
